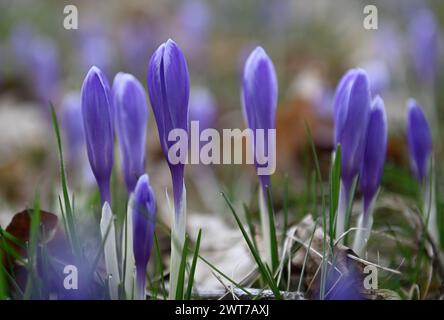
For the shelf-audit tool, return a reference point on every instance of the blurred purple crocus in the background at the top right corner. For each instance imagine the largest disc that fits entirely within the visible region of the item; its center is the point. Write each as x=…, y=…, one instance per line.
x=423, y=31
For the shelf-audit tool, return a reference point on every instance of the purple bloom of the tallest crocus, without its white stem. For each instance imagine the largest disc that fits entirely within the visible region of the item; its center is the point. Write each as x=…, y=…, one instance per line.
x=169, y=90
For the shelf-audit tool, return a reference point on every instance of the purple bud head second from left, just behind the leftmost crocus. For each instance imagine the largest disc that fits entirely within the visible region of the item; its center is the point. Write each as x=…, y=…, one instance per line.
x=131, y=111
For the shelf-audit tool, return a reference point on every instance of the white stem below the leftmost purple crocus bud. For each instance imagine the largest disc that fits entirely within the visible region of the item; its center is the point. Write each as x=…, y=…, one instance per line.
x=109, y=236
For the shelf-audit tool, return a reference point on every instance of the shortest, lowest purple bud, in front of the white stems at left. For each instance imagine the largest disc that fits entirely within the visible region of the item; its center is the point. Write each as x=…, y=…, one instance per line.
x=144, y=218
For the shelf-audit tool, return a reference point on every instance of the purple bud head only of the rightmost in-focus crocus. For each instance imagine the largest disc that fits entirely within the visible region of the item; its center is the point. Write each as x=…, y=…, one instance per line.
x=419, y=139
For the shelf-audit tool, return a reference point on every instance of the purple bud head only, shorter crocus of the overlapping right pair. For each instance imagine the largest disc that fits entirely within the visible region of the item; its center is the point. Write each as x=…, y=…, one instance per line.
x=375, y=151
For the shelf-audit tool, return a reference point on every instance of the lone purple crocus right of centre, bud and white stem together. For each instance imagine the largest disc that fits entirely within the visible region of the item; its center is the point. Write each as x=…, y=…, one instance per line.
x=259, y=101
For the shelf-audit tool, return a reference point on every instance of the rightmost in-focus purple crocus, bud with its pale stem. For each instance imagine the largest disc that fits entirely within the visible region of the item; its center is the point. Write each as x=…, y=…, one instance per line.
x=420, y=146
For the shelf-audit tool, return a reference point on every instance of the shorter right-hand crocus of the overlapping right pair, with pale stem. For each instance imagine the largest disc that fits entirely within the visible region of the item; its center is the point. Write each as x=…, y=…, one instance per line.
x=372, y=168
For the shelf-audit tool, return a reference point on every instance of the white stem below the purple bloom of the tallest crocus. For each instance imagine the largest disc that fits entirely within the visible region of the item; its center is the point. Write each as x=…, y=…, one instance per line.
x=177, y=241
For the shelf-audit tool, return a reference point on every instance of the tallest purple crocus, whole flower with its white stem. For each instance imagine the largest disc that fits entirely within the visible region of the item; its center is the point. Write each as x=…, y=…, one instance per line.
x=169, y=90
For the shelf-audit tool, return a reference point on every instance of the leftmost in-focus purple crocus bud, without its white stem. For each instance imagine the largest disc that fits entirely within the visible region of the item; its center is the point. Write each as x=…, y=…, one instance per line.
x=98, y=126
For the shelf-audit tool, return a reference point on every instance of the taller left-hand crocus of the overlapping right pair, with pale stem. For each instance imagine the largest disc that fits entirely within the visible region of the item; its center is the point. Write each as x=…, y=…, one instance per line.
x=351, y=109
